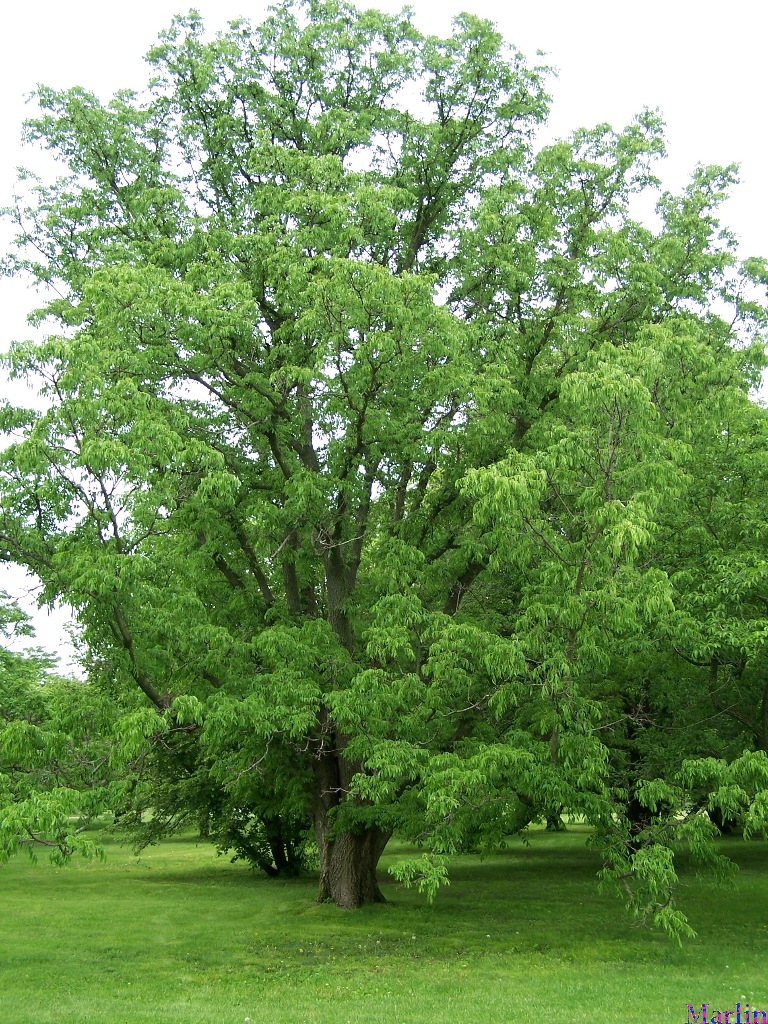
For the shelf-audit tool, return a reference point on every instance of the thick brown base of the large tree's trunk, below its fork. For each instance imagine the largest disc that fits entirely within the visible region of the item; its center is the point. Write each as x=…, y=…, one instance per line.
x=349, y=865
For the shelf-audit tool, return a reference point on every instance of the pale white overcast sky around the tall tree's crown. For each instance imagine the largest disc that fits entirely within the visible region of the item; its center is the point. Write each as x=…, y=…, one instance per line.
x=703, y=64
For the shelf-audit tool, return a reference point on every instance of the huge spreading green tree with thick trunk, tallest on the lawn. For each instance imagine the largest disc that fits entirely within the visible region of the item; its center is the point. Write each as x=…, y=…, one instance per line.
x=368, y=423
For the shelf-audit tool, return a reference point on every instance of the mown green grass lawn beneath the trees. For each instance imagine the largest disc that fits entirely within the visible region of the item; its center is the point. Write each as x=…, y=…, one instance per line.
x=180, y=936
